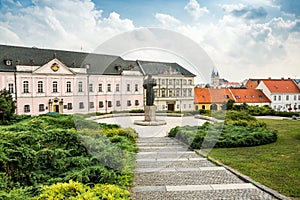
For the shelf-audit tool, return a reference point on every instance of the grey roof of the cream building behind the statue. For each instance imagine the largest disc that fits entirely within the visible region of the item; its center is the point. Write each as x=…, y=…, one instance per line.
x=160, y=68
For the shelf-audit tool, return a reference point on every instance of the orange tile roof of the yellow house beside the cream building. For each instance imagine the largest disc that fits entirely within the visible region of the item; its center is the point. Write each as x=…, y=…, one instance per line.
x=211, y=95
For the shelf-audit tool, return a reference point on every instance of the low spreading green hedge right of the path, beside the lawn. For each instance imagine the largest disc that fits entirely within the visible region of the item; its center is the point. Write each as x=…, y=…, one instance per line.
x=220, y=136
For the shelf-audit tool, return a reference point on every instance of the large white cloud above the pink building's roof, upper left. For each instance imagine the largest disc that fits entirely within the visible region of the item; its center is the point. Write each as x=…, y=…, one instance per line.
x=46, y=24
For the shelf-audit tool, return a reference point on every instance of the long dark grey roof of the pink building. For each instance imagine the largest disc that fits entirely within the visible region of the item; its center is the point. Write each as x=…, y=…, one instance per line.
x=99, y=64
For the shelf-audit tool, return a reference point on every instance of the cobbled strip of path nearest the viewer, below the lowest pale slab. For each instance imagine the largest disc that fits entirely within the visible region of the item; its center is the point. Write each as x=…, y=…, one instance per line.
x=231, y=194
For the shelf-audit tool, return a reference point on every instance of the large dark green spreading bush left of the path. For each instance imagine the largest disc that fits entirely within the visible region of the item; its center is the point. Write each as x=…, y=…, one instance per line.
x=47, y=149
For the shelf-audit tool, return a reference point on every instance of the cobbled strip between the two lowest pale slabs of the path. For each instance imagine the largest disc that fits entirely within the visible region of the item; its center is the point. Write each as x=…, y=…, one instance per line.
x=185, y=178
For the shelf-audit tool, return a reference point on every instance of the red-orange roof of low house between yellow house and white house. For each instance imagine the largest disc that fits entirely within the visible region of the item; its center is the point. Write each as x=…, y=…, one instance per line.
x=249, y=96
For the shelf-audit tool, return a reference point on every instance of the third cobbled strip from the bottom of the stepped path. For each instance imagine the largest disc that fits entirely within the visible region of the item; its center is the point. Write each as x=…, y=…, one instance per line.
x=174, y=164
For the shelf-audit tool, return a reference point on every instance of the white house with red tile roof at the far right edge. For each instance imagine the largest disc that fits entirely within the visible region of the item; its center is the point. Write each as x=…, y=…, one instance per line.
x=283, y=93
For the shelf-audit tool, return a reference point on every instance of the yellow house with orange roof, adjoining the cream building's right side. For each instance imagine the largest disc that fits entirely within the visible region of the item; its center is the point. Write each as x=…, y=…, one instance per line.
x=211, y=98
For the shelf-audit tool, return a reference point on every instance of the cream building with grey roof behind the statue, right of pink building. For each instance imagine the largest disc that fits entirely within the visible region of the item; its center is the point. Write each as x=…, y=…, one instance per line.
x=175, y=85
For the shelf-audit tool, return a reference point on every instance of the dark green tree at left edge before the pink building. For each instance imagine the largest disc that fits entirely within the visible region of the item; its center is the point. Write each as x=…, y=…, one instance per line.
x=7, y=106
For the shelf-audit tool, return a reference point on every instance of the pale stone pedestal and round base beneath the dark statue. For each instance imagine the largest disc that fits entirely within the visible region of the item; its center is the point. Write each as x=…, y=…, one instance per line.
x=150, y=118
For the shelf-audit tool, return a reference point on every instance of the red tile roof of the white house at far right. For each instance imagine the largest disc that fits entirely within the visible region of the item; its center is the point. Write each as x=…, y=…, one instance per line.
x=281, y=86
